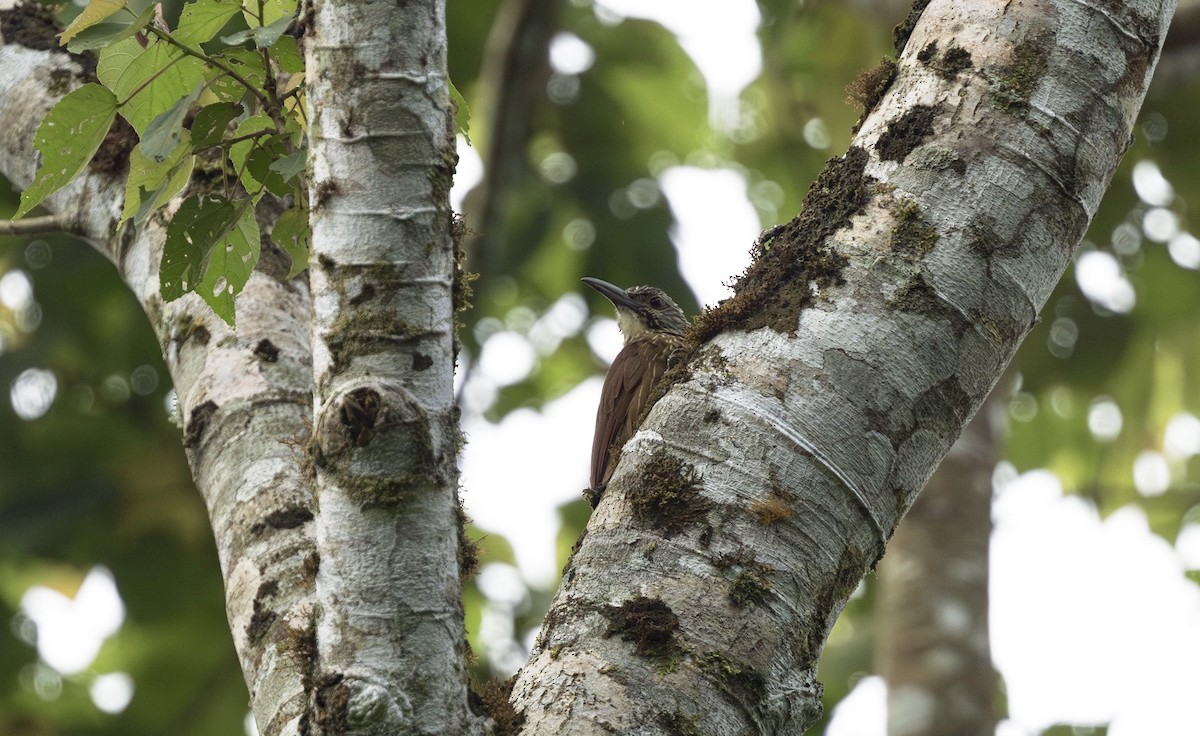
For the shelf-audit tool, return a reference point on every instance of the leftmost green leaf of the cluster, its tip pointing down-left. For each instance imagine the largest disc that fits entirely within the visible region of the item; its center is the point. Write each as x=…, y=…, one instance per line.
x=68, y=139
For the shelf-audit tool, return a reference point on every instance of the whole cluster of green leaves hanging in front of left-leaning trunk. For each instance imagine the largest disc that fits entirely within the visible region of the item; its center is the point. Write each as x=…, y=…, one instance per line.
x=230, y=104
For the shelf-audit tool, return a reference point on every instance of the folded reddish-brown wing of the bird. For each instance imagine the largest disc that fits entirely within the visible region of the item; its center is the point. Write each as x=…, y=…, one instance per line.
x=627, y=390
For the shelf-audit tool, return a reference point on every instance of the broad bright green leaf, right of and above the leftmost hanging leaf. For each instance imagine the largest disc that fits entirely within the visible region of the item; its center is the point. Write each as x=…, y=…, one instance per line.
x=147, y=81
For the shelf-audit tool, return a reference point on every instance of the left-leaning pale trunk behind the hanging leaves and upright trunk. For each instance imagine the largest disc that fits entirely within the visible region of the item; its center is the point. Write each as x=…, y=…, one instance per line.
x=243, y=412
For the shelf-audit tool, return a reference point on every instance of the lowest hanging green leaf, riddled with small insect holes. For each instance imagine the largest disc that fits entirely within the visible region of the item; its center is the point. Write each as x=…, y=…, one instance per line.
x=212, y=248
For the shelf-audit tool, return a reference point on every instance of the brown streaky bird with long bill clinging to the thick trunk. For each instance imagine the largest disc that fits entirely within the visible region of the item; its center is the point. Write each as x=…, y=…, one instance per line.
x=653, y=327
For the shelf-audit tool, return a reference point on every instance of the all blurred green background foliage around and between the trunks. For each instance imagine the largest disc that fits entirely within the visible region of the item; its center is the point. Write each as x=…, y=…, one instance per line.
x=101, y=478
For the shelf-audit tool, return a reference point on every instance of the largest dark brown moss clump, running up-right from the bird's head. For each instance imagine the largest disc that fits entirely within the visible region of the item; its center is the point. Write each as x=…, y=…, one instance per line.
x=790, y=262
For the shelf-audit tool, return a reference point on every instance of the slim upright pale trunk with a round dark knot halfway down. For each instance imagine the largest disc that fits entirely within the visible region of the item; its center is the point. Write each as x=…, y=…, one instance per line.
x=389, y=631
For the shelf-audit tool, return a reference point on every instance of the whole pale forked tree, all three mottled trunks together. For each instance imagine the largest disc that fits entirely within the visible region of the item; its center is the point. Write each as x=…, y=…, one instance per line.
x=763, y=486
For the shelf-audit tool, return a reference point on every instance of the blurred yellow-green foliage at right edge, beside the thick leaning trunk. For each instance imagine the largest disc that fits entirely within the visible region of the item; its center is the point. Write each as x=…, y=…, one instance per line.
x=1147, y=361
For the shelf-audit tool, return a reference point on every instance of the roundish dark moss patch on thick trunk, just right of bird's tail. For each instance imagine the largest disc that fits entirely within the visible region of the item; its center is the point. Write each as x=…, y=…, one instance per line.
x=668, y=496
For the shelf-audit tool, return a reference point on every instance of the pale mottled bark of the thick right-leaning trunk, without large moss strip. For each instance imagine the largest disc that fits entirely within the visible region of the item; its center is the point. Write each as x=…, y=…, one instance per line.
x=844, y=421
